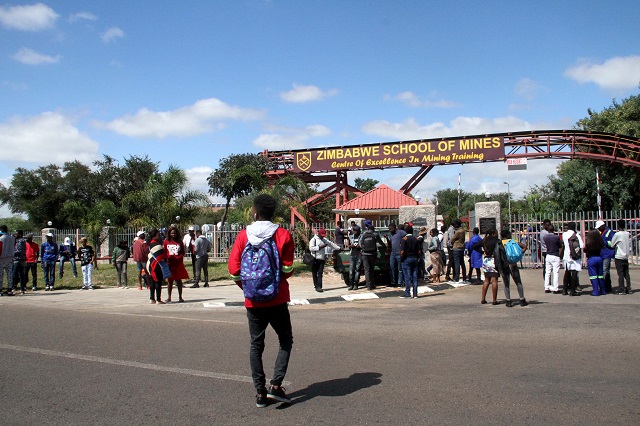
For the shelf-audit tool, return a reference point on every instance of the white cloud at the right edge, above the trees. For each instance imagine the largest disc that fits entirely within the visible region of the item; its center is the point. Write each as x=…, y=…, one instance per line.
x=615, y=74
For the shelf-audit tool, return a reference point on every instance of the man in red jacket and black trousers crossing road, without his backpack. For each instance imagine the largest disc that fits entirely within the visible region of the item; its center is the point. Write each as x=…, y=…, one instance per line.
x=274, y=312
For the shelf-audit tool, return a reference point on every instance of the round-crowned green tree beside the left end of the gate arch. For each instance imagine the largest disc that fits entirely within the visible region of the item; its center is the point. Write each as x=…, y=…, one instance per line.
x=236, y=176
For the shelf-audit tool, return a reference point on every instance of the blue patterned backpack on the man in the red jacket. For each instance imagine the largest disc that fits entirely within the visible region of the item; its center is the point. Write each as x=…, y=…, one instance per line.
x=260, y=271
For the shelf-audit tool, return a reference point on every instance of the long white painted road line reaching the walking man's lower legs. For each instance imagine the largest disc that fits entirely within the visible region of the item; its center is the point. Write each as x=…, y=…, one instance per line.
x=134, y=364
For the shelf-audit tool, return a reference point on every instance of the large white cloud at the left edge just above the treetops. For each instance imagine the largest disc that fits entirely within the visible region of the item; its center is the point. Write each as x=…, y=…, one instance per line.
x=47, y=138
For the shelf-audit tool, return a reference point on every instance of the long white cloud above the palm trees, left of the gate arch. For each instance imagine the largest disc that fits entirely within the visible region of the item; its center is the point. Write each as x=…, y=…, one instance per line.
x=202, y=117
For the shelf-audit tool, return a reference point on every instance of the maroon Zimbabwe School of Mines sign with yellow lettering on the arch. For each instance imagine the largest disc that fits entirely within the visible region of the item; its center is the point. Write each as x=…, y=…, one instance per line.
x=400, y=154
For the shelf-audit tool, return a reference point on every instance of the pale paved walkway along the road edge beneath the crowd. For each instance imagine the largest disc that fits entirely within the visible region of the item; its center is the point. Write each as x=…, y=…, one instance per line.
x=227, y=294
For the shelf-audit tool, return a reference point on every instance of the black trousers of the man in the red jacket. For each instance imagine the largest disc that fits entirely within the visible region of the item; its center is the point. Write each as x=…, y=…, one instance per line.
x=259, y=320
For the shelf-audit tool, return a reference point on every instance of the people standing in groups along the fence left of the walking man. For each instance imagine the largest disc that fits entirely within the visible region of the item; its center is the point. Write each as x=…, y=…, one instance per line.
x=159, y=258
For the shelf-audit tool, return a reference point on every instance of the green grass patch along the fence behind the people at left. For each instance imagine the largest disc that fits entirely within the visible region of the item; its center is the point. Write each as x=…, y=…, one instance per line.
x=105, y=275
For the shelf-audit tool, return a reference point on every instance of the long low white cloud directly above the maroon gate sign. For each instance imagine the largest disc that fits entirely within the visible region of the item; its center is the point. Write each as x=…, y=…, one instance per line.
x=410, y=129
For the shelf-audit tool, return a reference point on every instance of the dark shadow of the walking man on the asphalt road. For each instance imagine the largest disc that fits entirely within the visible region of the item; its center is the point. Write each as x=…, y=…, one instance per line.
x=336, y=387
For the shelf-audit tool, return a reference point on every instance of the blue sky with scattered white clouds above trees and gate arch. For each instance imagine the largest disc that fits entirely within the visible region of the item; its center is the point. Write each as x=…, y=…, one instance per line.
x=191, y=82
